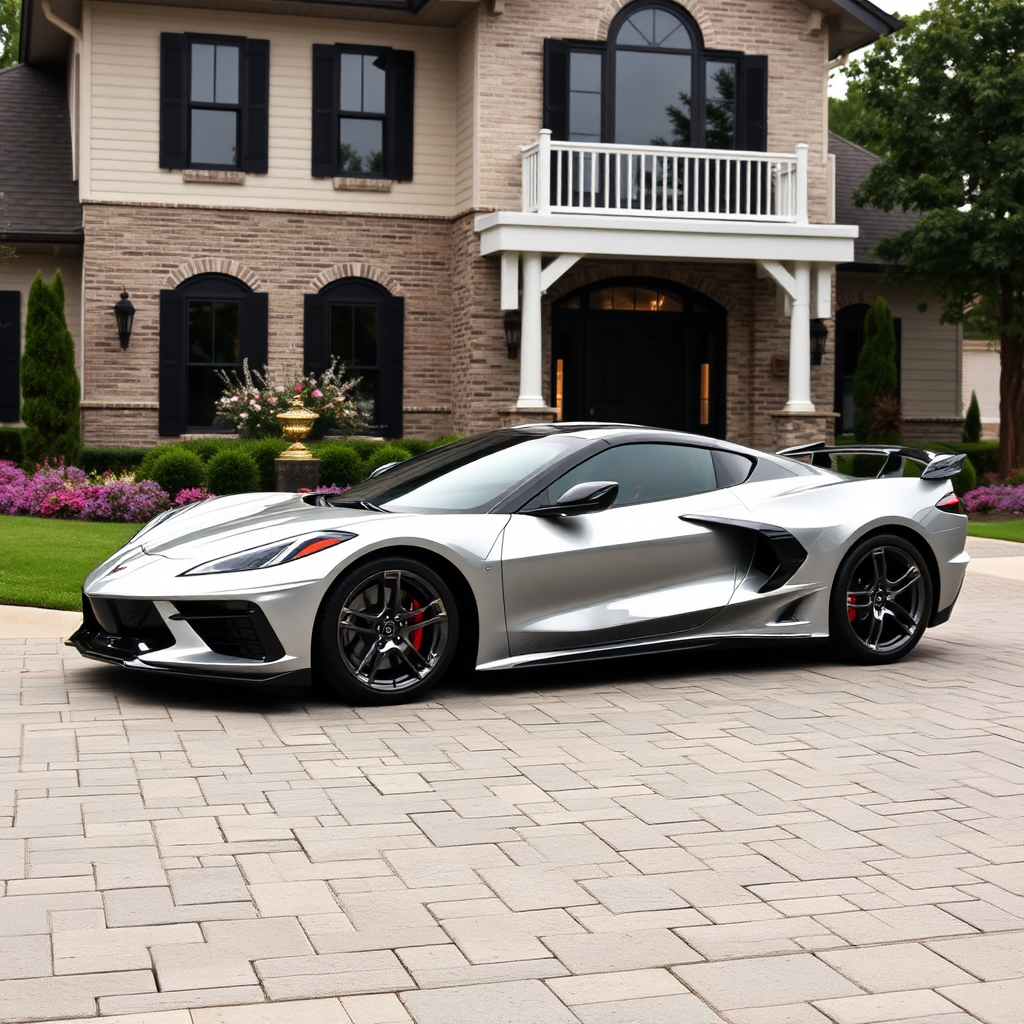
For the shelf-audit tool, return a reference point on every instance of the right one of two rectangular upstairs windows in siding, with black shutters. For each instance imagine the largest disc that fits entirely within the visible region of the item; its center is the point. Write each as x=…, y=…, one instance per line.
x=363, y=113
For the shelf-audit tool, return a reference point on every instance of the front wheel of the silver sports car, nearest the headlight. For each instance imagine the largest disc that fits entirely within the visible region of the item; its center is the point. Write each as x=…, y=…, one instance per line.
x=387, y=633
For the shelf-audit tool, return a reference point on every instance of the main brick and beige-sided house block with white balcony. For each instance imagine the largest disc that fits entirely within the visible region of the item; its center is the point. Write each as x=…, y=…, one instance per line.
x=493, y=211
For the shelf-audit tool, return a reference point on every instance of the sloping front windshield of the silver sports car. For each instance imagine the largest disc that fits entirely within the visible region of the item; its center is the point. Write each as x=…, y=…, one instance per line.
x=472, y=476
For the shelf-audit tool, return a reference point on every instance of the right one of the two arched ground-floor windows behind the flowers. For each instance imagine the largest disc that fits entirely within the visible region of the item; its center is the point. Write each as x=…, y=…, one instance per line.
x=360, y=324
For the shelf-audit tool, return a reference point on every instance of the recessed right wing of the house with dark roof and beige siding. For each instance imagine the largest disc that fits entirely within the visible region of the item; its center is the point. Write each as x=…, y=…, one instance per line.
x=929, y=353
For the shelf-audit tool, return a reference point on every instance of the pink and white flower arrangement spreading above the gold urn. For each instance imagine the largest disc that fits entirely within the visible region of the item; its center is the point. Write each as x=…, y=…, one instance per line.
x=252, y=402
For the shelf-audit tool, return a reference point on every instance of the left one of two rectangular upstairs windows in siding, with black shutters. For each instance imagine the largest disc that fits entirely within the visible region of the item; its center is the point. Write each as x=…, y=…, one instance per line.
x=215, y=102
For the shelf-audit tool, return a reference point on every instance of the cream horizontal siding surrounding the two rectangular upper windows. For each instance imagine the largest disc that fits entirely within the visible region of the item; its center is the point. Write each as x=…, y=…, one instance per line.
x=123, y=126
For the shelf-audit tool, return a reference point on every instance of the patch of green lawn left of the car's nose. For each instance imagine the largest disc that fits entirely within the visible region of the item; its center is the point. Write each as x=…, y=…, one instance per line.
x=44, y=563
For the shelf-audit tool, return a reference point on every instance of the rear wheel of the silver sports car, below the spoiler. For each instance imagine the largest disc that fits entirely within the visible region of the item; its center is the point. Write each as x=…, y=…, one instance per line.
x=881, y=601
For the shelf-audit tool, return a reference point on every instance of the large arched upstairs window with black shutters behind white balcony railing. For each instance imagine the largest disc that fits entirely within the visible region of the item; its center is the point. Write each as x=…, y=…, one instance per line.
x=655, y=84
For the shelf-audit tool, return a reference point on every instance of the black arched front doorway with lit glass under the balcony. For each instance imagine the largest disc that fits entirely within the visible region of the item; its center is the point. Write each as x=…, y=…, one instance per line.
x=641, y=351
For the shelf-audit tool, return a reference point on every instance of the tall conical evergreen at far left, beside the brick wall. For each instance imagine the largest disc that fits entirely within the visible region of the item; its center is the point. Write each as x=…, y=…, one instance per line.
x=51, y=388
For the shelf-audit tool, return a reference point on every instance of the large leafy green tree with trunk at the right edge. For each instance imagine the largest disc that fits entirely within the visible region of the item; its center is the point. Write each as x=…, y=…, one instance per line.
x=950, y=95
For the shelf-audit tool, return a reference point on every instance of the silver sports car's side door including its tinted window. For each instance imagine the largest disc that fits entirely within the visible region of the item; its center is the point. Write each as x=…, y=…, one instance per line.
x=633, y=572
